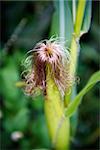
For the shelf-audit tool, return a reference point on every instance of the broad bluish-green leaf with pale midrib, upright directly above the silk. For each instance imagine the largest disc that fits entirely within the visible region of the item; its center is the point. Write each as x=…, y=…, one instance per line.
x=62, y=23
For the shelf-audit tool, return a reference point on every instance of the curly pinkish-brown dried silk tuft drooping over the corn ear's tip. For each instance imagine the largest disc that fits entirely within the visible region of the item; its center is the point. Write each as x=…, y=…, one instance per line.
x=47, y=52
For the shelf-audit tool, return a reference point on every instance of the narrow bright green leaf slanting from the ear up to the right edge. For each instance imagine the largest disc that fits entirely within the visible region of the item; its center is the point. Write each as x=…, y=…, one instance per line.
x=75, y=103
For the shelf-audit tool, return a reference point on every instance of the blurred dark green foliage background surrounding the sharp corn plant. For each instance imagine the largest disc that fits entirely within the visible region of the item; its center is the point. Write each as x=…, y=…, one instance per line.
x=22, y=118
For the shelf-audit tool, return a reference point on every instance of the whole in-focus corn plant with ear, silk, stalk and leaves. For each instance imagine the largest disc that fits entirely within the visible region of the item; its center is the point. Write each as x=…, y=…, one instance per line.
x=53, y=67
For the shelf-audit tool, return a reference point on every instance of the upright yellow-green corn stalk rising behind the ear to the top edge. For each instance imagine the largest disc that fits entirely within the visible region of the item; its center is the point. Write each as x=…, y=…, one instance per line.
x=75, y=42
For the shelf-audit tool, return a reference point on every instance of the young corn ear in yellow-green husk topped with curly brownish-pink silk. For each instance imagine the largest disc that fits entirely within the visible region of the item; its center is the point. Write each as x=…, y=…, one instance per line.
x=50, y=73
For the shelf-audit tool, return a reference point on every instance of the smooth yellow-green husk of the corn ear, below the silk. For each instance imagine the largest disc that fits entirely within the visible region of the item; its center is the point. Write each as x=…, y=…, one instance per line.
x=58, y=125
